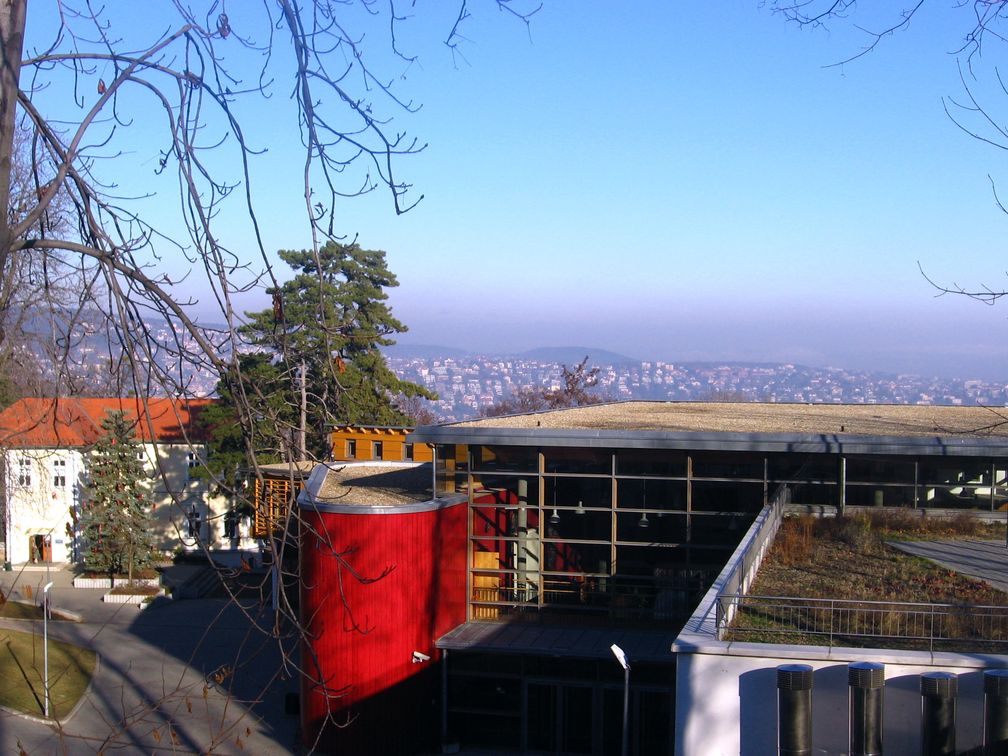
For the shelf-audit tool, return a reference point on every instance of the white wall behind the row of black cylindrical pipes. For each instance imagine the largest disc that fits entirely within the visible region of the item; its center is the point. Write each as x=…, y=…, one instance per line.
x=727, y=704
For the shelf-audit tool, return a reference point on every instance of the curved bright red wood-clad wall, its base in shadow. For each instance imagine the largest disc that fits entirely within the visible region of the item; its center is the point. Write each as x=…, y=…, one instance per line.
x=364, y=632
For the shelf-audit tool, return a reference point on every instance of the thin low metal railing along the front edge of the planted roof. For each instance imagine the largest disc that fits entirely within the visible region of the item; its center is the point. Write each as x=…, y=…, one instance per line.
x=844, y=621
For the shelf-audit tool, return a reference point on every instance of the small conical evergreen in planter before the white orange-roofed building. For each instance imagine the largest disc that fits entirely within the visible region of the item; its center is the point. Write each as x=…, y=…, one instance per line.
x=116, y=522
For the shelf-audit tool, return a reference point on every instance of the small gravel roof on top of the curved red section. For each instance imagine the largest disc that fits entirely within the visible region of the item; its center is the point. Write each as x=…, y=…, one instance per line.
x=377, y=485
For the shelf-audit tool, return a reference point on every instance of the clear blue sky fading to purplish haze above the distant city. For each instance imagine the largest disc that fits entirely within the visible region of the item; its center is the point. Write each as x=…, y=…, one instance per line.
x=684, y=182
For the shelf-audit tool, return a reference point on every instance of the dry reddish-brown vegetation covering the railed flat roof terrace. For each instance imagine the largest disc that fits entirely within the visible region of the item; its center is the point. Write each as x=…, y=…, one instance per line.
x=850, y=559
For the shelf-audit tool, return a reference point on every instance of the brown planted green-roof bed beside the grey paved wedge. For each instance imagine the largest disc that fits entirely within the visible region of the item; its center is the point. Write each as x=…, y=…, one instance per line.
x=850, y=559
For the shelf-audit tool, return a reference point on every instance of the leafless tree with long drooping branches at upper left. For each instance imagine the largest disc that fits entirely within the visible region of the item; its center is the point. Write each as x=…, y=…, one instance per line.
x=181, y=86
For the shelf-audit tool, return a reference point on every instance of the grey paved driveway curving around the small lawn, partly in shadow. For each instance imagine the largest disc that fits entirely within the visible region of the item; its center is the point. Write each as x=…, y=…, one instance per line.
x=193, y=677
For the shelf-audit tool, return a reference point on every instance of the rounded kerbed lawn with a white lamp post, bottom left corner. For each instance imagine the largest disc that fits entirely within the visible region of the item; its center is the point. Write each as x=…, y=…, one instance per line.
x=22, y=669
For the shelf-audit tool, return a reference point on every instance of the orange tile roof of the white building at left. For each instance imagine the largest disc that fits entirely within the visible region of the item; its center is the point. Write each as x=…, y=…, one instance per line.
x=77, y=422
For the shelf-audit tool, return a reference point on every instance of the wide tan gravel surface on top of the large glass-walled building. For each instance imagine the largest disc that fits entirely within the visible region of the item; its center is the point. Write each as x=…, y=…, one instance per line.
x=753, y=418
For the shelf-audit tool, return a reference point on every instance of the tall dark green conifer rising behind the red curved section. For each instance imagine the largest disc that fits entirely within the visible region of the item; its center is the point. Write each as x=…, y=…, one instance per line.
x=325, y=330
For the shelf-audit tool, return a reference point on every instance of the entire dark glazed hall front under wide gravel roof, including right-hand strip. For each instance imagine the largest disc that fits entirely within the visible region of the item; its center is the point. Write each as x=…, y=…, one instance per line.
x=638, y=536
